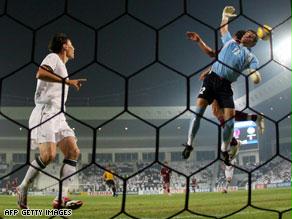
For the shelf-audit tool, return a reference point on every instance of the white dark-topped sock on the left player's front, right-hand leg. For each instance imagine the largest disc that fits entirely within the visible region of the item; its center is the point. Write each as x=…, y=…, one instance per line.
x=68, y=168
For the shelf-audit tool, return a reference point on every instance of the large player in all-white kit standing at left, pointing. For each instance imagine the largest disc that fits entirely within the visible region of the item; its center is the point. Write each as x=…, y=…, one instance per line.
x=50, y=129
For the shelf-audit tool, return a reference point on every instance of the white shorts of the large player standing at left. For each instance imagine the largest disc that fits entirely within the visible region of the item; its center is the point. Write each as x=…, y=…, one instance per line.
x=54, y=130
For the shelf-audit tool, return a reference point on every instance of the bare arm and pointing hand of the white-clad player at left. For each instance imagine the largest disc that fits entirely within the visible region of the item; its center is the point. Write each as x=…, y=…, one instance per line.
x=45, y=73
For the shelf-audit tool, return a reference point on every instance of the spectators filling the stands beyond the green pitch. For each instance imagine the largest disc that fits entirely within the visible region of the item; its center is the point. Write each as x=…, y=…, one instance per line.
x=90, y=178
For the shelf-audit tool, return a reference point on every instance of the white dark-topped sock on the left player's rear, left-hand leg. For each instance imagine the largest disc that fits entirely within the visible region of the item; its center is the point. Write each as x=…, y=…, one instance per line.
x=32, y=172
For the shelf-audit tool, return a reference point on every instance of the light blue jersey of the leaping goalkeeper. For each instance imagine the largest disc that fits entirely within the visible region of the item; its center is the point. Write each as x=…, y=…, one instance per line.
x=235, y=55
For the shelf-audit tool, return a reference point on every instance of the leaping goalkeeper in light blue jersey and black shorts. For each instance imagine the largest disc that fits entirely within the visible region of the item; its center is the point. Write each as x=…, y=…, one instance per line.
x=217, y=84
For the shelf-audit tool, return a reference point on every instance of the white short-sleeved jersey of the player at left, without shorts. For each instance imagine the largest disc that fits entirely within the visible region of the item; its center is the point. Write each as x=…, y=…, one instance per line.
x=49, y=92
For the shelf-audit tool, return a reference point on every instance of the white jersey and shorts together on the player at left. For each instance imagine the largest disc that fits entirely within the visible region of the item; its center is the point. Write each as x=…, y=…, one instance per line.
x=48, y=97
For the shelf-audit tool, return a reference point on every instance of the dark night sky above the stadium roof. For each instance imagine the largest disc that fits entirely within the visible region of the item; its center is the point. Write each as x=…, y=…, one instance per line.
x=128, y=44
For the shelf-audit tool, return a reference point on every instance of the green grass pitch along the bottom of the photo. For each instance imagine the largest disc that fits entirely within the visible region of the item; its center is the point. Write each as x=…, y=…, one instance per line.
x=163, y=206
